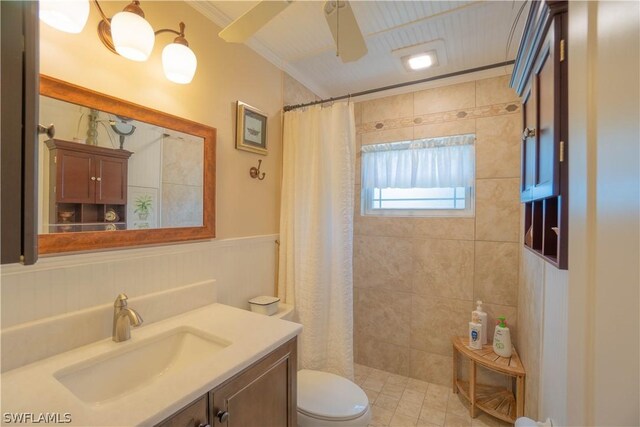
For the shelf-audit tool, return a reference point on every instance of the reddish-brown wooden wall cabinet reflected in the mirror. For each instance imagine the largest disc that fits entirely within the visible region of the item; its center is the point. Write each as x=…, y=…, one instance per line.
x=87, y=181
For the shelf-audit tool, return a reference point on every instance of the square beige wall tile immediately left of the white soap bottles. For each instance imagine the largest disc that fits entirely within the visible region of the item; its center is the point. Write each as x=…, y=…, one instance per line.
x=435, y=320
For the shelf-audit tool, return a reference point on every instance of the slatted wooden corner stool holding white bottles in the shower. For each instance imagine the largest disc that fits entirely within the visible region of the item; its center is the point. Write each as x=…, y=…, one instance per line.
x=499, y=402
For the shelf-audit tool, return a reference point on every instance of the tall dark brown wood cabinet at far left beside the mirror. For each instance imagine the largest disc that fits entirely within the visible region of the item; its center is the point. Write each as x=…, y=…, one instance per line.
x=19, y=88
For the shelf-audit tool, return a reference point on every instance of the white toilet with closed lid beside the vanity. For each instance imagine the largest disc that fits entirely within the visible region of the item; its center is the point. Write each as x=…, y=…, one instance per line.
x=326, y=399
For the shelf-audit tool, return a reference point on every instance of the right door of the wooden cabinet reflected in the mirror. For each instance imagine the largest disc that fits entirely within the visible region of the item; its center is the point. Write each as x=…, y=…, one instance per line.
x=111, y=180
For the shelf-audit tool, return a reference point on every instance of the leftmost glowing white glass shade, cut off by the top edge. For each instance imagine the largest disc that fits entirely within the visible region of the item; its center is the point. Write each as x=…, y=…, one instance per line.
x=69, y=16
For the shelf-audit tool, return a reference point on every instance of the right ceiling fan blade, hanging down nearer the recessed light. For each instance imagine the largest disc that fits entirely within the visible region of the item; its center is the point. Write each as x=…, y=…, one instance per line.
x=350, y=42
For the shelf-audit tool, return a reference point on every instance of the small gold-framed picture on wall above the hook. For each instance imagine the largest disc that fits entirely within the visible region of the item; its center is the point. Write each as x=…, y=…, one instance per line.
x=251, y=129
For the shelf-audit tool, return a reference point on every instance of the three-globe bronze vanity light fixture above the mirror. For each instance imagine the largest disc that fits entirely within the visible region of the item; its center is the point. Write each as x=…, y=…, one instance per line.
x=127, y=33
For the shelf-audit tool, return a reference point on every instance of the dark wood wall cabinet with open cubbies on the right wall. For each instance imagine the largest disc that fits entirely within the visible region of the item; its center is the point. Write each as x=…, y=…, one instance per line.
x=540, y=79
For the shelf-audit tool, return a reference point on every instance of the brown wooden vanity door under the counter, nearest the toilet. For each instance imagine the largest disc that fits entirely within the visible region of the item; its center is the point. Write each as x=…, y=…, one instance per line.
x=264, y=395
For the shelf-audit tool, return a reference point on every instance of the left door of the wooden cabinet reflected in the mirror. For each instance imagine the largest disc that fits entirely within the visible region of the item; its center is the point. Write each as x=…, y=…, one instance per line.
x=75, y=179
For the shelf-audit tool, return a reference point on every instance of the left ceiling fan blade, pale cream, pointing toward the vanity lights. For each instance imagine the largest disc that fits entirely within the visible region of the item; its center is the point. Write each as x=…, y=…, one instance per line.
x=252, y=20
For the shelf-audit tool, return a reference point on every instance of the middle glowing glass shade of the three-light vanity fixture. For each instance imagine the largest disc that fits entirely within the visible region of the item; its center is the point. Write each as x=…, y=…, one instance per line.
x=132, y=36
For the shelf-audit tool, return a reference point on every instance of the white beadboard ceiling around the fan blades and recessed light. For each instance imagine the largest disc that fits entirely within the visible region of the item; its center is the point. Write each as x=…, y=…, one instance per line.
x=465, y=34
